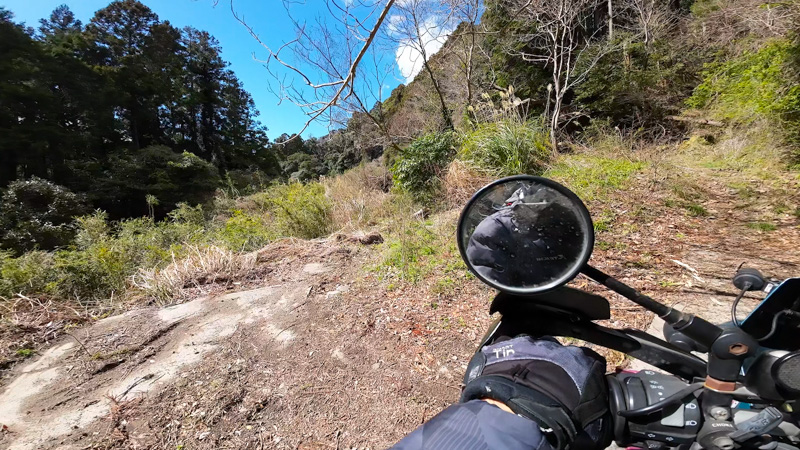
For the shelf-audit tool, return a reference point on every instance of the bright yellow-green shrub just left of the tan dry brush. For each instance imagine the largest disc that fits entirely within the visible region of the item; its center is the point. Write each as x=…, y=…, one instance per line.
x=299, y=210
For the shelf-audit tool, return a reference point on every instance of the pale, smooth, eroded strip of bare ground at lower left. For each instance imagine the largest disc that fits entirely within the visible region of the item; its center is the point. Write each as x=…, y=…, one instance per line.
x=53, y=395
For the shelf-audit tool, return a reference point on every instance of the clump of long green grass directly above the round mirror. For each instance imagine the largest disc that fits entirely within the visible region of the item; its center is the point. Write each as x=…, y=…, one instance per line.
x=508, y=147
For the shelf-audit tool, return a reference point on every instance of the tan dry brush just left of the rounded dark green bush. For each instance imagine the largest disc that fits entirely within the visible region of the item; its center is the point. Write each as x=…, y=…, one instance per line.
x=360, y=196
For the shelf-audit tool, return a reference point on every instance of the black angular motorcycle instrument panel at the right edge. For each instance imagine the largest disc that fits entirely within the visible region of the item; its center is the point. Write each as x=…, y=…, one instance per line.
x=759, y=323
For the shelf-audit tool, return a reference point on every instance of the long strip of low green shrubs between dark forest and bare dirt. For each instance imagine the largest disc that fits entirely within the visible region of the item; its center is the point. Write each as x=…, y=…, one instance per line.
x=104, y=256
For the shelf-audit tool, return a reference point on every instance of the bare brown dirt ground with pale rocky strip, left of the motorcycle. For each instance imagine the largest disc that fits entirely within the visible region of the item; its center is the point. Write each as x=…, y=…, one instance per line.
x=313, y=356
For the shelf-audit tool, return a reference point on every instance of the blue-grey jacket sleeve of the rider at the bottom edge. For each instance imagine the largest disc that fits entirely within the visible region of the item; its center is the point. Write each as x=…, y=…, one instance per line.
x=475, y=425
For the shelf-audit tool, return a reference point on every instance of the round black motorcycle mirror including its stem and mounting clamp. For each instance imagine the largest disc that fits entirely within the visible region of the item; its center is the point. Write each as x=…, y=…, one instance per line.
x=526, y=235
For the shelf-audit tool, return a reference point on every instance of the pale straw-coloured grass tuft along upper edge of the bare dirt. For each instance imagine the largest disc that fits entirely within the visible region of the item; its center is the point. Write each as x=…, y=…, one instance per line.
x=203, y=265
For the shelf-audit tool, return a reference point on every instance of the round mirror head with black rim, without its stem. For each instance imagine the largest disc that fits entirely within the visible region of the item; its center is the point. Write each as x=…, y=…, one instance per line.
x=525, y=235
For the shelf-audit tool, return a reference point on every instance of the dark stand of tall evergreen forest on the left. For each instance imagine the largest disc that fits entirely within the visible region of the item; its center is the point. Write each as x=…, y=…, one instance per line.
x=130, y=115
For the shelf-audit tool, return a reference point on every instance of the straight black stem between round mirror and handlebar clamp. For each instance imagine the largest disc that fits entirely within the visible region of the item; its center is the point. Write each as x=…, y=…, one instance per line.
x=696, y=328
